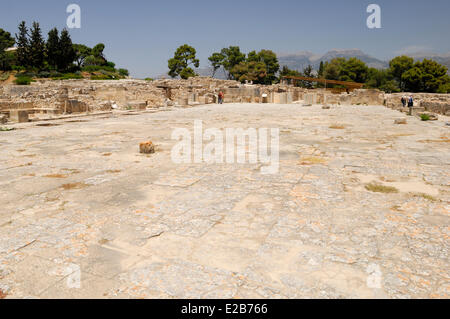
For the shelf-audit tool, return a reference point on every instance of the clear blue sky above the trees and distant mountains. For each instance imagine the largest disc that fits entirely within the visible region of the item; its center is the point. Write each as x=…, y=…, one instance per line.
x=142, y=34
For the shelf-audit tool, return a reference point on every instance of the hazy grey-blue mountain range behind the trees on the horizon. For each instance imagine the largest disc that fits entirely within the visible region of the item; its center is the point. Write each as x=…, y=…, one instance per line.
x=300, y=60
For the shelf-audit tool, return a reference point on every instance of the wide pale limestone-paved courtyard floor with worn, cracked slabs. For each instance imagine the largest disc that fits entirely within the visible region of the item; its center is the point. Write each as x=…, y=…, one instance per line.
x=78, y=195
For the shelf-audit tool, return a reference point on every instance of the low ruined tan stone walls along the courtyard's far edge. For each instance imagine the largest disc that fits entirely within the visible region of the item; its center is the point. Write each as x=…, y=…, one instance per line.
x=73, y=96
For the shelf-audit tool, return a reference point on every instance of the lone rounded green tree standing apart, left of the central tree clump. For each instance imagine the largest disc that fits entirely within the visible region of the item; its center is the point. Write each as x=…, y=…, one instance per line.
x=179, y=65
